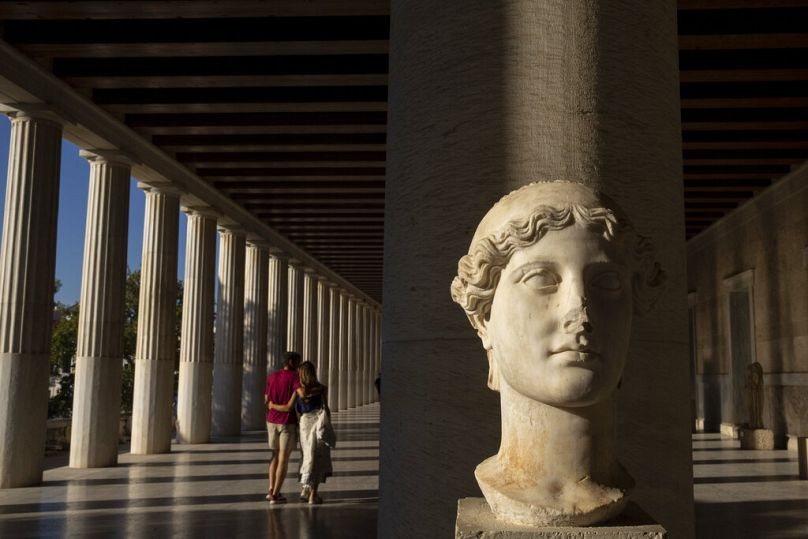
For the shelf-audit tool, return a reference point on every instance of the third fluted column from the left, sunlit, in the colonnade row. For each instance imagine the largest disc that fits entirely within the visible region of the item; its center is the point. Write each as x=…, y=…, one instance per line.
x=156, y=332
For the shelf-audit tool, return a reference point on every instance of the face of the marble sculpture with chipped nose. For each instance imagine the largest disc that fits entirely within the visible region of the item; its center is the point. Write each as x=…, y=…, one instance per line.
x=560, y=319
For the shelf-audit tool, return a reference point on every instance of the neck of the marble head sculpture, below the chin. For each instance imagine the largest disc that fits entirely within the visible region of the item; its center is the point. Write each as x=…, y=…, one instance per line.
x=561, y=443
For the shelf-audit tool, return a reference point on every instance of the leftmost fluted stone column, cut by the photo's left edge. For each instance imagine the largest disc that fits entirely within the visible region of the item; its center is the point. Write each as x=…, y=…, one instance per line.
x=27, y=265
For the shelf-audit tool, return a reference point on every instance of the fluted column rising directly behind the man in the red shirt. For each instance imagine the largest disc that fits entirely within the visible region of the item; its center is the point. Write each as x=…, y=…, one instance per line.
x=277, y=308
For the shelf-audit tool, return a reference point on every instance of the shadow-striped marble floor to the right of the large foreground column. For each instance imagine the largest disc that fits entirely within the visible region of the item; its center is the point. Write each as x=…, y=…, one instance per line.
x=747, y=494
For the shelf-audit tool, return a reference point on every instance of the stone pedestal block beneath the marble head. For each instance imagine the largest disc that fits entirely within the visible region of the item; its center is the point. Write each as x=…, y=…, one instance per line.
x=476, y=521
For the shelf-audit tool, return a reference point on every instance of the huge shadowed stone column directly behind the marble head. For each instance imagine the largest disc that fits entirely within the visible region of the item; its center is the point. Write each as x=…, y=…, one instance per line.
x=483, y=100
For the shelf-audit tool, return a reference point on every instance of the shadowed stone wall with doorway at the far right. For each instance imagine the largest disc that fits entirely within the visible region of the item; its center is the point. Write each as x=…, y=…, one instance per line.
x=768, y=237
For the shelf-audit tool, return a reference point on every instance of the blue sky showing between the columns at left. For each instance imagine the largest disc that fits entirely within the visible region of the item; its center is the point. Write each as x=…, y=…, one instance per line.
x=75, y=173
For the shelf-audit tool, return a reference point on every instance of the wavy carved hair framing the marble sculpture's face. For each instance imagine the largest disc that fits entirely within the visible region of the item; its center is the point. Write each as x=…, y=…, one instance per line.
x=479, y=271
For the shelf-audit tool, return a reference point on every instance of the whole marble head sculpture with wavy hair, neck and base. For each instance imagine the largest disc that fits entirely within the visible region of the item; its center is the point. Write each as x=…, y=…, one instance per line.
x=552, y=279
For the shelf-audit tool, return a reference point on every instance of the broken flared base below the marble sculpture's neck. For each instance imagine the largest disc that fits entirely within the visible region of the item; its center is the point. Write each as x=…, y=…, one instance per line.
x=581, y=503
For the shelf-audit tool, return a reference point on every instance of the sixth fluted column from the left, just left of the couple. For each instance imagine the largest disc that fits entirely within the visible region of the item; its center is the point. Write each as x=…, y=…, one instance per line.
x=253, y=409
